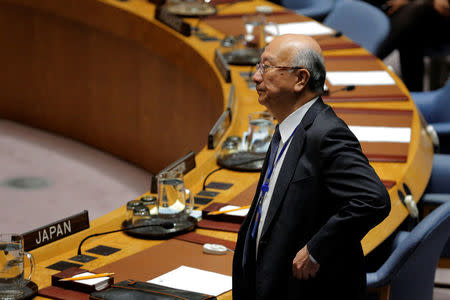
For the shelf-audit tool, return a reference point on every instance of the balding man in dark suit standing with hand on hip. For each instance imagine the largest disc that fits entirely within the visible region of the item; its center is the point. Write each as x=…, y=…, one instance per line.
x=317, y=196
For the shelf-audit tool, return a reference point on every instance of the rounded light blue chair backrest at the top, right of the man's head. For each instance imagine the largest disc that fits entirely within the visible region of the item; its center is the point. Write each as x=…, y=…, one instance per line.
x=363, y=23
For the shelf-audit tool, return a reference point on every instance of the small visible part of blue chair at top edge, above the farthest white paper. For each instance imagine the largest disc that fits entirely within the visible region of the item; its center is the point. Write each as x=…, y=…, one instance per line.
x=316, y=9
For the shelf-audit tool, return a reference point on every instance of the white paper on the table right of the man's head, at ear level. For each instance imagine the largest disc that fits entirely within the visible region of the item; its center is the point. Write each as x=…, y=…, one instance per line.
x=360, y=78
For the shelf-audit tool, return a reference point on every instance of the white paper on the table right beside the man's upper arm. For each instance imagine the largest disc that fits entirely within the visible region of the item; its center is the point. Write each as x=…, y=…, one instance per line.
x=382, y=134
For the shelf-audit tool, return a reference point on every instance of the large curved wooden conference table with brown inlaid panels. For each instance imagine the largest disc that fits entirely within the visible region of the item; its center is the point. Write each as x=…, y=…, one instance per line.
x=108, y=74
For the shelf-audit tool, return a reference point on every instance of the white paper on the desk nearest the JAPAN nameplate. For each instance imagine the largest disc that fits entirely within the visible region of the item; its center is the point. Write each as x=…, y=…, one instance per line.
x=195, y=280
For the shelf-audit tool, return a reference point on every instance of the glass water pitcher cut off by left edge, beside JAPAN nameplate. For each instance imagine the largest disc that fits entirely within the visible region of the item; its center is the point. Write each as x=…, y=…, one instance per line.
x=12, y=279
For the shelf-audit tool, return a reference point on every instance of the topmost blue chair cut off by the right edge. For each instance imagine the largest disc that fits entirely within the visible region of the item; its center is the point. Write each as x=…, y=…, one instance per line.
x=435, y=108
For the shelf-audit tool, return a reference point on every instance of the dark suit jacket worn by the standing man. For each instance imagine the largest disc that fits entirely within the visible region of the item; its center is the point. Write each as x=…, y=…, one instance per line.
x=327, y=197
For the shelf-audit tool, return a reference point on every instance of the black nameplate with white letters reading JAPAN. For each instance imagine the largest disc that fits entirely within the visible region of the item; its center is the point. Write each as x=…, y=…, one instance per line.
x=55, y=231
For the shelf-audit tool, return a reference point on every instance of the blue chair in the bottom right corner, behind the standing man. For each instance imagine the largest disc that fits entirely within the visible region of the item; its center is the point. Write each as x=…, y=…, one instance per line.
x=409, y=271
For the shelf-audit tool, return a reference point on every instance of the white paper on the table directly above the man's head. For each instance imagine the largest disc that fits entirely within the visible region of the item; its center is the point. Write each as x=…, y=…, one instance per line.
x=307, y=28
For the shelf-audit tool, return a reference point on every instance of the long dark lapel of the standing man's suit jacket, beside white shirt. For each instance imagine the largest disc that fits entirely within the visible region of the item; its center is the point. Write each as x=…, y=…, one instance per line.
x=290, y=163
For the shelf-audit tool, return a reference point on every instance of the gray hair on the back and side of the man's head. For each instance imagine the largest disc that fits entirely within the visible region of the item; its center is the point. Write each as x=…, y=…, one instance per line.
x=313, y=62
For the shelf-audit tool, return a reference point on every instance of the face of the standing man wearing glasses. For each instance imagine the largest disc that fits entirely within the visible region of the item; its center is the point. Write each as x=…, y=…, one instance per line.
x=275, y=85
